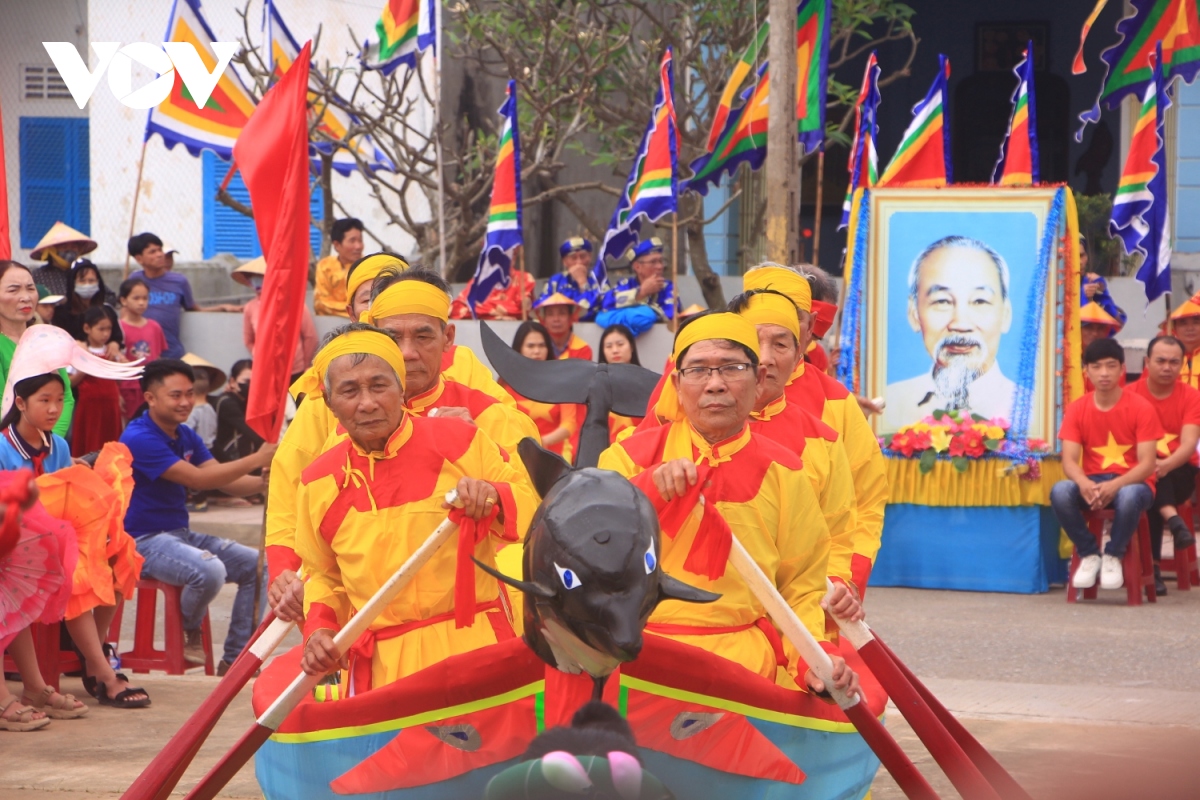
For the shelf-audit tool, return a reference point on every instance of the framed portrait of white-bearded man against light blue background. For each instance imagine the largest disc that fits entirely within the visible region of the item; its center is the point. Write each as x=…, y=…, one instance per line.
x=961, y=306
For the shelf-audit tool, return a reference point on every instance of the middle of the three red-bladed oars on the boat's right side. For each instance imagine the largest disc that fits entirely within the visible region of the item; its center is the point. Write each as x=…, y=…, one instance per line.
x=949, y=753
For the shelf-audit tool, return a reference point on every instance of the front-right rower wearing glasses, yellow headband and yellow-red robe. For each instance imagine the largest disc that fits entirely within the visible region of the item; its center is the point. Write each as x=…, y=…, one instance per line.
x=706, y=458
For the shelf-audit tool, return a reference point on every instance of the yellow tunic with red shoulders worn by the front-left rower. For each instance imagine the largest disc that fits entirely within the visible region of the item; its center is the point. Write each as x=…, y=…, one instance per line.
x=363, y=515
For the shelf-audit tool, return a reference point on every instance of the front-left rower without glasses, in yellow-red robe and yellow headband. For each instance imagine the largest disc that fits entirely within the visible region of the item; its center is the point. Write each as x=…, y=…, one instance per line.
x=370, y=501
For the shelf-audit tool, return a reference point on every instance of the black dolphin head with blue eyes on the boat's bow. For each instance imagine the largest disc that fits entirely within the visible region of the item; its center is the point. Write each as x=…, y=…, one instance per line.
x=591, y=567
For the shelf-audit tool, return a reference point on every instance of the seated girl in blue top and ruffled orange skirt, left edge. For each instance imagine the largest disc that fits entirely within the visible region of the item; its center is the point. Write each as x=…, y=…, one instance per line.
x=28, y=442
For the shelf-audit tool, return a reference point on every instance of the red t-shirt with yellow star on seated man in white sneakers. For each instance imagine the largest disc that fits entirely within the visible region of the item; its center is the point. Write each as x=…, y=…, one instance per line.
x=1111, y=438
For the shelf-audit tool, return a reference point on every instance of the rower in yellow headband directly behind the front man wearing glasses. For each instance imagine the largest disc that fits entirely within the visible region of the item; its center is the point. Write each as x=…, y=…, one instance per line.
x=775, y=317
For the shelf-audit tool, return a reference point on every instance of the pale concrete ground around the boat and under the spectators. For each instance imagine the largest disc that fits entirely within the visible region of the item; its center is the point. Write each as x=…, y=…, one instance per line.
x=1095, y=701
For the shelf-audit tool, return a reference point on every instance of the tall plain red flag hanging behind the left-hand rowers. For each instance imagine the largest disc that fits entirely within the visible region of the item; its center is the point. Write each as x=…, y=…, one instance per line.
x=273, y=157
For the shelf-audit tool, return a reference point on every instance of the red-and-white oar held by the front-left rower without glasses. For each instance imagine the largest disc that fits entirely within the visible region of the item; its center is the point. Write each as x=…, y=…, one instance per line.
x=273, y=718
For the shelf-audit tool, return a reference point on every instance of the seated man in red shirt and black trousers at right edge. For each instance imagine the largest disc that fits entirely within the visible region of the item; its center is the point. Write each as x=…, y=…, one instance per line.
x=1179, y=411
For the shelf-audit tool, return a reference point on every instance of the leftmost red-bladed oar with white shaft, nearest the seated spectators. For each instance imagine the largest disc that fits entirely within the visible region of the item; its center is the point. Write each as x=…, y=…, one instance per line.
x=163, y=774
